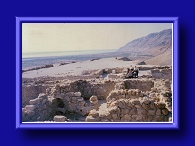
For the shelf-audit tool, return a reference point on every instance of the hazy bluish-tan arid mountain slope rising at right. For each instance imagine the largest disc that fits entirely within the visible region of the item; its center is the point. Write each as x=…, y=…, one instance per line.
x=157, y=45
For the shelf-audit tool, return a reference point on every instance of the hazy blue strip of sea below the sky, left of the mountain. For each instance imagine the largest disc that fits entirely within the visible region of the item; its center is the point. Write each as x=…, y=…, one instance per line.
x=30, y=60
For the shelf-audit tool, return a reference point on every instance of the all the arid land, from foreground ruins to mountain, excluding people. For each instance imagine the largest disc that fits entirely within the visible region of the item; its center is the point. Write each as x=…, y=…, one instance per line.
x=96, y=90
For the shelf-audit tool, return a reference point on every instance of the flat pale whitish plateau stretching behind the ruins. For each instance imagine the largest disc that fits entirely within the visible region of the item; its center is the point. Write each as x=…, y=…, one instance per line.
x=77, y=68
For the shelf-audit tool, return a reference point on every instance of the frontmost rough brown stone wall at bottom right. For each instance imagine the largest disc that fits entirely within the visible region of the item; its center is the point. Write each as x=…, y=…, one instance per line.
x=132, y=110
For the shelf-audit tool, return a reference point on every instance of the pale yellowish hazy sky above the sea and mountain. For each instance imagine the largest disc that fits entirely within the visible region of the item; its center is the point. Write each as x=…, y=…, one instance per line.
x=43, y=37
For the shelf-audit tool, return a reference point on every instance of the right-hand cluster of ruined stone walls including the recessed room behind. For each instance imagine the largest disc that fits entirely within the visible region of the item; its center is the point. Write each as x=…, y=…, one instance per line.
x=150, y=104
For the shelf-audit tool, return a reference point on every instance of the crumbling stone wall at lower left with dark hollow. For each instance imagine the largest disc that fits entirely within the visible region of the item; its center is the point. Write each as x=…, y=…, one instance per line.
x=45, y=107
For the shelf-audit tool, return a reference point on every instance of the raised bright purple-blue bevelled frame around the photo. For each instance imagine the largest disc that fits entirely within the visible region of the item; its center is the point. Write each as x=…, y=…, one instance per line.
x=149, y=125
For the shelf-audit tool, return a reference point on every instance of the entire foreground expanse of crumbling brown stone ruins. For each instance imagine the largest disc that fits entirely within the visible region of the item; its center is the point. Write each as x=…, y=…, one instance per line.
x=127, y=100
